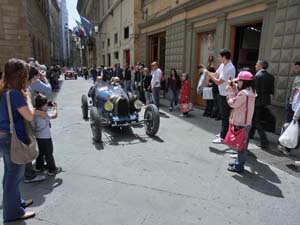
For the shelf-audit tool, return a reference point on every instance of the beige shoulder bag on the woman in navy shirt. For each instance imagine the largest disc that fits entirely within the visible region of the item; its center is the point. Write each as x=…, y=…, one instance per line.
x=21, y=153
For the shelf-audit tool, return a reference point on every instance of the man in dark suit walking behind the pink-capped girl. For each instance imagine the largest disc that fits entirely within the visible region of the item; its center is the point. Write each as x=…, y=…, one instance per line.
x=264, y=85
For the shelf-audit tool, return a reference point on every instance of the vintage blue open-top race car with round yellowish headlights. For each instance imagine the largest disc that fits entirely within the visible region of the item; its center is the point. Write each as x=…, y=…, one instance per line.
x=111, y=106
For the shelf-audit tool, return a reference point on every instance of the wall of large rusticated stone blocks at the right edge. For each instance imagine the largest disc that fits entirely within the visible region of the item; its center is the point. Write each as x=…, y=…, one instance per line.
x=285, y=47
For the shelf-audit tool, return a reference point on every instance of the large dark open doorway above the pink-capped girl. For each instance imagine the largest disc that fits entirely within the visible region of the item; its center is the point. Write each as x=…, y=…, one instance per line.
x=245, y=43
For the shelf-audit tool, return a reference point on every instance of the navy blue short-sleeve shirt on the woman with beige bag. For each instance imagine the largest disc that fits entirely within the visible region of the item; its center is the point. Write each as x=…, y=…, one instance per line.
x=17, y=101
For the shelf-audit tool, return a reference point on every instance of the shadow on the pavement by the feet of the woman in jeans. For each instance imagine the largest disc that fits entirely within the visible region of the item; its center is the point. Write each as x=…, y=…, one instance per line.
x=38, y=191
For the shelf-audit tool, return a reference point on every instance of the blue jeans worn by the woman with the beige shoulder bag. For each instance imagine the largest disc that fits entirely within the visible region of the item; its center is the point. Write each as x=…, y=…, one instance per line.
x=13, y=174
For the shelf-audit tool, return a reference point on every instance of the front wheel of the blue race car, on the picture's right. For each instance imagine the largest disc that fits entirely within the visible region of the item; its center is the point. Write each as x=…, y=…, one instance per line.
x=152, y=120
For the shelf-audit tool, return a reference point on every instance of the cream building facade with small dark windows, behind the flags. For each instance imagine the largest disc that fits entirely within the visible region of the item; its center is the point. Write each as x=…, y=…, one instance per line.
x=116, y=38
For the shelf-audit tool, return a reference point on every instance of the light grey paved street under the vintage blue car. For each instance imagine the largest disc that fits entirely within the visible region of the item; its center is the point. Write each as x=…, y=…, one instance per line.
x=178, y=177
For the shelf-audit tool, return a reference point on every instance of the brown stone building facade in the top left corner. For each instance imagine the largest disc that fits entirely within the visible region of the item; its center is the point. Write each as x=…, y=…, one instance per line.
x=24, y=28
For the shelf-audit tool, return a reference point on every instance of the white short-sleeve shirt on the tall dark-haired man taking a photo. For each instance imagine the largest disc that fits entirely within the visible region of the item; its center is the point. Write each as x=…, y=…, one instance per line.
x=225, y=71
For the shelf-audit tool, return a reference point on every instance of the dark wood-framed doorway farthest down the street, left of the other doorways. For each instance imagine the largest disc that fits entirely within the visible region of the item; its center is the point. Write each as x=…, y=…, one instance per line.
x=157, y=45
